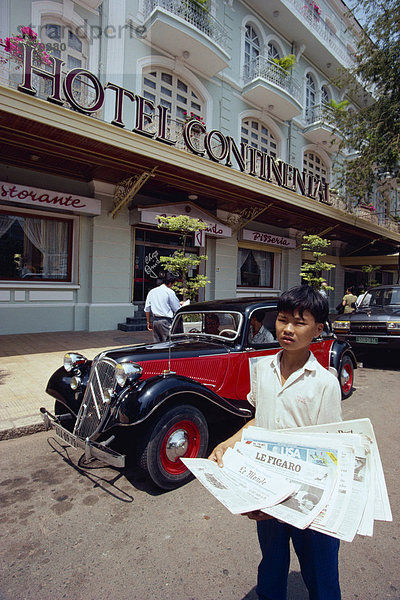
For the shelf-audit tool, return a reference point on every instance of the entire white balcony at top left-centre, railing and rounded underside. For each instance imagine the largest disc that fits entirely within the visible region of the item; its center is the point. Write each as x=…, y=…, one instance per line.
x=185, y=29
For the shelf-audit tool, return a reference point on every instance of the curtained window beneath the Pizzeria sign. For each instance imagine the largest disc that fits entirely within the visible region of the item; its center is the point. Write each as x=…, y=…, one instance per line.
x=255, y=268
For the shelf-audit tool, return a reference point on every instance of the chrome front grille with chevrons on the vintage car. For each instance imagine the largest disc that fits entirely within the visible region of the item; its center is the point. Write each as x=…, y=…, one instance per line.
x=94, y=407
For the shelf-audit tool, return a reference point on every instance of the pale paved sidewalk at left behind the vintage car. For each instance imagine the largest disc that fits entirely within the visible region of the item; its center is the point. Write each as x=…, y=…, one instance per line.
x=27, y=361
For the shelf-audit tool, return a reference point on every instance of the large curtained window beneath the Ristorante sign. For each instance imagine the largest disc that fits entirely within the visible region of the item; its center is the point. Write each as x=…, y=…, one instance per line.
x=35, y=248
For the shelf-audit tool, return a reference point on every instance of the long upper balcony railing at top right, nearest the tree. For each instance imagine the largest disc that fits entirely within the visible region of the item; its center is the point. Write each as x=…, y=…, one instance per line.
x=317, y=24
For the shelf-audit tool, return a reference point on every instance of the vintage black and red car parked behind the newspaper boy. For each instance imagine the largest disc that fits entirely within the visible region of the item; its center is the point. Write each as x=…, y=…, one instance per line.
x=168, y=397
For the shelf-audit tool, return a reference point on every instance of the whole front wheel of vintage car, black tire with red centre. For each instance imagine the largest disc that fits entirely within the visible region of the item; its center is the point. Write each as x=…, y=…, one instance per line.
x=187, y=427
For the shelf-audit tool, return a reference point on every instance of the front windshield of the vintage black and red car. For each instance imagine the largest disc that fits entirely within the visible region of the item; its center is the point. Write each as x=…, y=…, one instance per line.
x=211, y=323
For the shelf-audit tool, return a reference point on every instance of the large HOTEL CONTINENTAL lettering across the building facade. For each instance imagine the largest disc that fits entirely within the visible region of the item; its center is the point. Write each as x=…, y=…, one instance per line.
x=215, y=145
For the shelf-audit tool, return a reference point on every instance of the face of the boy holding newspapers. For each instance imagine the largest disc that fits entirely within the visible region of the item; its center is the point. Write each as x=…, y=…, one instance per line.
x=294, y=332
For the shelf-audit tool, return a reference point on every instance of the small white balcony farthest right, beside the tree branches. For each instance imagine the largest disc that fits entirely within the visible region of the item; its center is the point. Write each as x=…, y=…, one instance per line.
x=318, y=129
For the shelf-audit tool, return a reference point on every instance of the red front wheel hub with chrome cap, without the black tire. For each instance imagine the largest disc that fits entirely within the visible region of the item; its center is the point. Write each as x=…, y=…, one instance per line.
x=182, y=439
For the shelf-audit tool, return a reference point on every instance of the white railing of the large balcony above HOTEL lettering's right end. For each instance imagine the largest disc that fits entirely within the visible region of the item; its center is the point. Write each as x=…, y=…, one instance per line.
x=194, y=14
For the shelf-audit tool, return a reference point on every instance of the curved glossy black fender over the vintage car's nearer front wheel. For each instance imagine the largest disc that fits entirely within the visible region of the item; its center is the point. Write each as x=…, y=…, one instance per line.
x=139, y=402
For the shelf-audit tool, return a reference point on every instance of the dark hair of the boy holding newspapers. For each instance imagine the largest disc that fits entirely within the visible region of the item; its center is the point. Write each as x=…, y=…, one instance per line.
x=305, y=297
